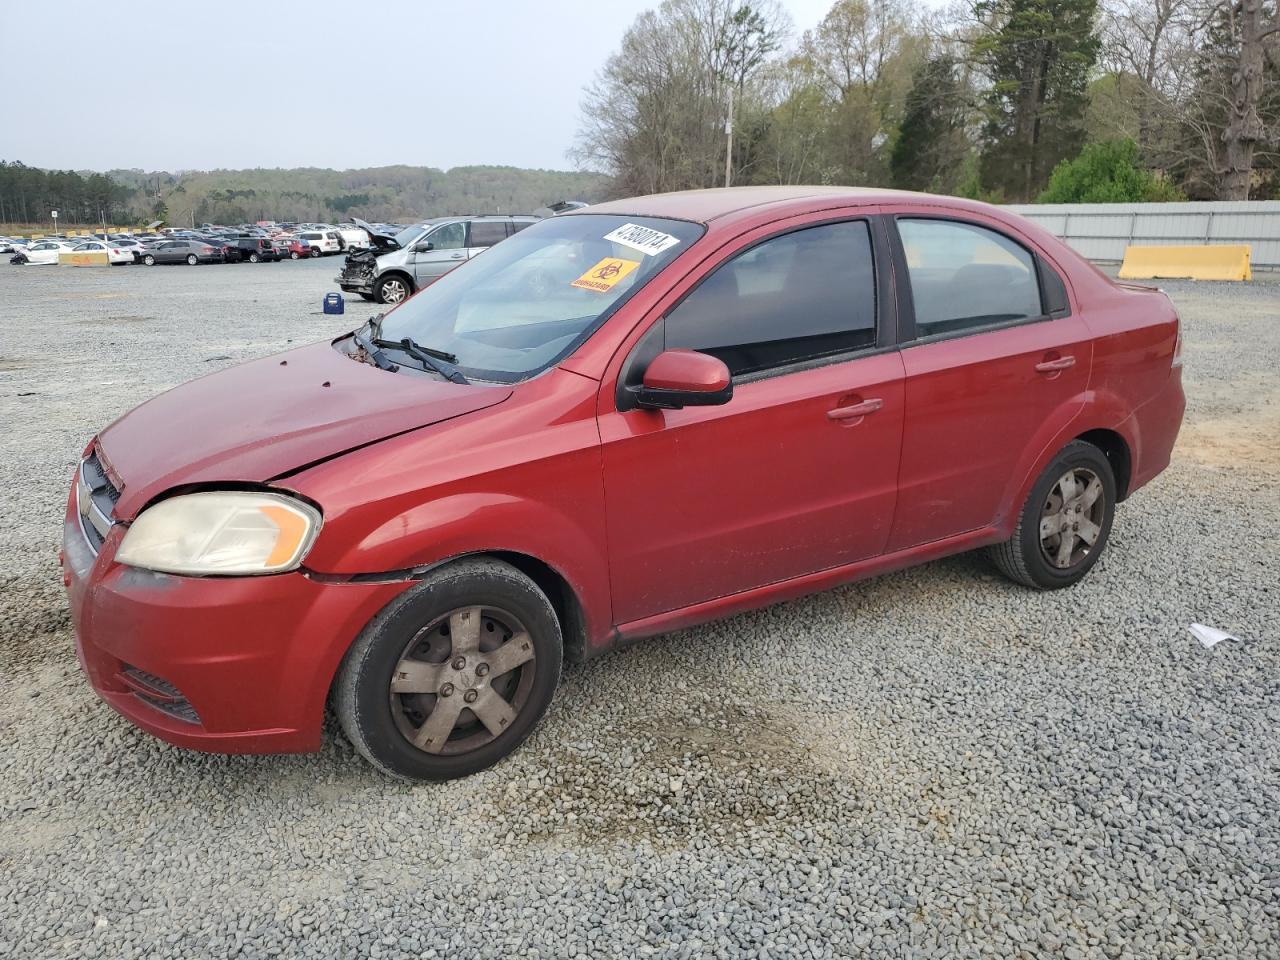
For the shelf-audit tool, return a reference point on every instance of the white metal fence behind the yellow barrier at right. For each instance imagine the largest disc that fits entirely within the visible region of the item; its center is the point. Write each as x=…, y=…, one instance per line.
x=1103, y=231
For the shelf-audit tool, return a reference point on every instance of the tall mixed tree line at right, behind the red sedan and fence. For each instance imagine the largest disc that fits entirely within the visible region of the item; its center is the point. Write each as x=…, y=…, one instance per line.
x=1005, y=100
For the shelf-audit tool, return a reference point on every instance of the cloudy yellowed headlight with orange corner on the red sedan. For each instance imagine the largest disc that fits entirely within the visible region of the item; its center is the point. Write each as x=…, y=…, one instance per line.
x=230, y=533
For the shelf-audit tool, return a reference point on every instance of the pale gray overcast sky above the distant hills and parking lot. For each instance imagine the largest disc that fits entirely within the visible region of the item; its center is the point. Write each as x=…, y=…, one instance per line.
x=307, y=84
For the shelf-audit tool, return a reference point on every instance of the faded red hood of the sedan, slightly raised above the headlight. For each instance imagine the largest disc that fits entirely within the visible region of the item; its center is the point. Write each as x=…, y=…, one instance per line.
x=262, y=420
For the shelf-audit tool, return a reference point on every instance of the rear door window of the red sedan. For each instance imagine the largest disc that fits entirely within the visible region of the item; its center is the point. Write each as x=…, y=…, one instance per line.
x=966, y=277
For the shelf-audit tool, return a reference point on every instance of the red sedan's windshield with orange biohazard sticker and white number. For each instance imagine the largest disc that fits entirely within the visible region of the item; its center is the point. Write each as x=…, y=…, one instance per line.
x=528, y=301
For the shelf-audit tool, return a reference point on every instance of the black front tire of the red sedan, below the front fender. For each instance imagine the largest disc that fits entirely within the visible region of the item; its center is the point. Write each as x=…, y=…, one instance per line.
x=380, y=723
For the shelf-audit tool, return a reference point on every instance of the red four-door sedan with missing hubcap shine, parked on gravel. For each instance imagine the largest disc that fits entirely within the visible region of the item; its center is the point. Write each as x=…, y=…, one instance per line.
x=621, y=422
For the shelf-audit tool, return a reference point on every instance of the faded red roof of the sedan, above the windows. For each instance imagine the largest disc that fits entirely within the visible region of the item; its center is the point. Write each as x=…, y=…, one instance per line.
x=707, y=205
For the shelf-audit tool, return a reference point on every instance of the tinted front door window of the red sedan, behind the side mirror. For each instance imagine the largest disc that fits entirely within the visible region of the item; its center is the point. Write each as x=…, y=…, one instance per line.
x=801, y=296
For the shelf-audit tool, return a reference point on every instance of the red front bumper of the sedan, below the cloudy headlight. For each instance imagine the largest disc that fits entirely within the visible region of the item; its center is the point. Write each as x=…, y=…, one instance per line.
x=227, y=665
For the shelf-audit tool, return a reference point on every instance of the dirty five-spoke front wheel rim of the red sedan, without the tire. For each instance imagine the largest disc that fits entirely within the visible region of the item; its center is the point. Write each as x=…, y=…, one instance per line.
x=463, y=680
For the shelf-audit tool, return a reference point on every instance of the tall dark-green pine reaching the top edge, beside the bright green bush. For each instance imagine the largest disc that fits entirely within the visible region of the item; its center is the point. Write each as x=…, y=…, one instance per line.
x=1039, y=58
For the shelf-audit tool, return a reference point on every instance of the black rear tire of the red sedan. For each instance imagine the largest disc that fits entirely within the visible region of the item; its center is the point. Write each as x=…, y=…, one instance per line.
x=1025, y=559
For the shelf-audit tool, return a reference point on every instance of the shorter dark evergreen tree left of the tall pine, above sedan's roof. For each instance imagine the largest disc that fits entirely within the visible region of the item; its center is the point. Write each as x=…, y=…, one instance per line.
x=931, y=144
